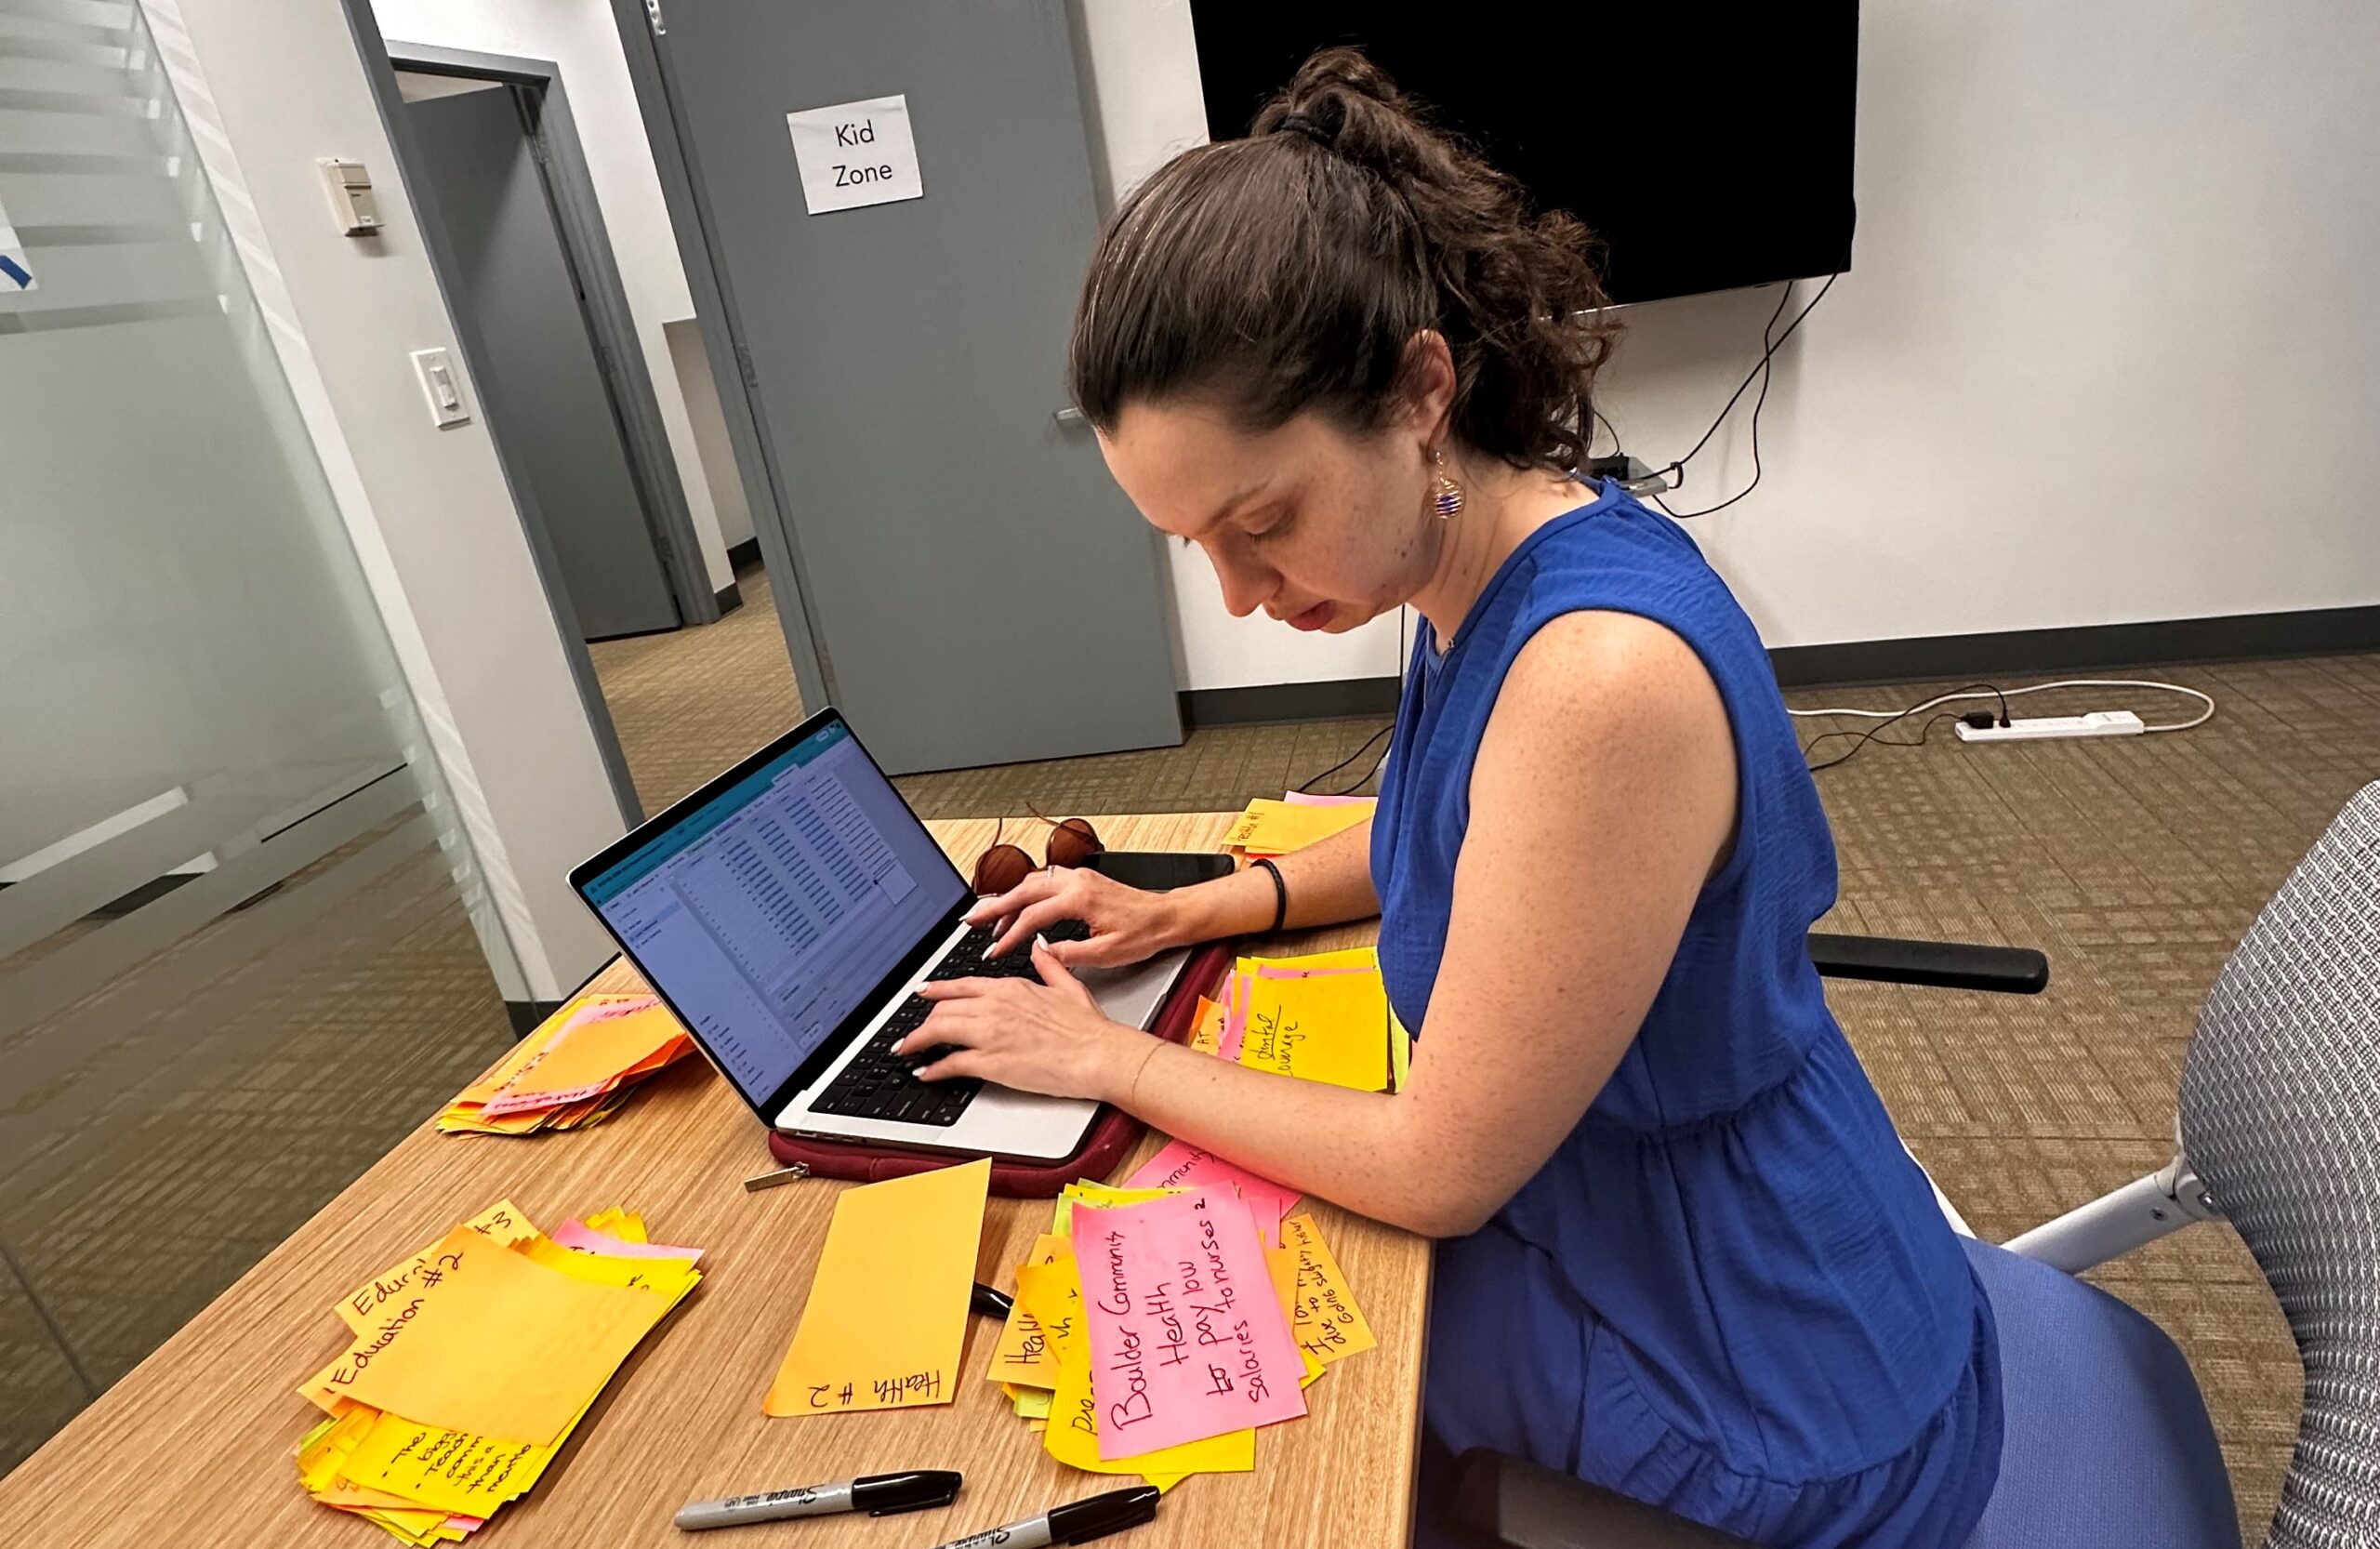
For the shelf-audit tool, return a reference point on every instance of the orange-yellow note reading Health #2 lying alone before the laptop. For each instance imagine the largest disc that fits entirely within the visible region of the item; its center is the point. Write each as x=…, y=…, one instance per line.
x=887, y=1312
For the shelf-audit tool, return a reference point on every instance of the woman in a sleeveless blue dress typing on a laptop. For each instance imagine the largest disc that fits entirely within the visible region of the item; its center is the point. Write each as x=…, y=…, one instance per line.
x=1681, y=1250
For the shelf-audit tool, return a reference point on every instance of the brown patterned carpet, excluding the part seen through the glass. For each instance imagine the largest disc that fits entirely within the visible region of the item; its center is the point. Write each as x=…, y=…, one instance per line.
x=2134, y=865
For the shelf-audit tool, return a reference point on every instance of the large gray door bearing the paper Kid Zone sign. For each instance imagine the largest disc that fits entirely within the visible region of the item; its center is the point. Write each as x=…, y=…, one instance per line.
x=979, y=587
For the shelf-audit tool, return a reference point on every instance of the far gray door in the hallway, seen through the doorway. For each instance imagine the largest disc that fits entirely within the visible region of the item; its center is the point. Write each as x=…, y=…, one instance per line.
x=541, y=377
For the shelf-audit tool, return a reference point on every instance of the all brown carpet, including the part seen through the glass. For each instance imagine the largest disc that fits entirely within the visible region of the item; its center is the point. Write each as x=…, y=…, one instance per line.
x=2134, y=865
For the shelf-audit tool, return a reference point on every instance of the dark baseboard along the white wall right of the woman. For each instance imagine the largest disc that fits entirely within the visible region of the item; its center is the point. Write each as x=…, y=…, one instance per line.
x=2081, y=648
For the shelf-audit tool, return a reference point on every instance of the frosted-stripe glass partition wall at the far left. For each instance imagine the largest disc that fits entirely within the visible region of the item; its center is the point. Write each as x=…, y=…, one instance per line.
x=242, y=936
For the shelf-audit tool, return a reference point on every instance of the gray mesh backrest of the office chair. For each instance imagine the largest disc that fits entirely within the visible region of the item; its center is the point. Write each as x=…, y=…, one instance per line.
x=2281, y=1122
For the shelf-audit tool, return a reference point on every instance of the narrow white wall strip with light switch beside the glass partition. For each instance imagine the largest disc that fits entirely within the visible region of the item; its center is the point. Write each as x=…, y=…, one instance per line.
x=270, y=87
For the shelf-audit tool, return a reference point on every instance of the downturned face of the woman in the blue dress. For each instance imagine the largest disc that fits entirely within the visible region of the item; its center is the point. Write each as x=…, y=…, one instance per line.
x=1317, y=527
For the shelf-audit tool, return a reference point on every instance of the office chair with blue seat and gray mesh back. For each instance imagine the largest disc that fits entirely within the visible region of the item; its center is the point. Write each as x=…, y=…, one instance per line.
x=2107, y=1436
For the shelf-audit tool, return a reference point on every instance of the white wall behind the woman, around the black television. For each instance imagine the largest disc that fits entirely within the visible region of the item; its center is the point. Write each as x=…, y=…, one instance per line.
x=2107, y=351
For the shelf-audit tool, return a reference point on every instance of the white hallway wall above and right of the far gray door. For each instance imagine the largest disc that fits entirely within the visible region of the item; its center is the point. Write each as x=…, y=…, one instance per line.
x=580, y=37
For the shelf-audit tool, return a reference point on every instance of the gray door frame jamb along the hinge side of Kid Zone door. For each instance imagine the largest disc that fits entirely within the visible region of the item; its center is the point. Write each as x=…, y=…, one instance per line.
x=641, y=30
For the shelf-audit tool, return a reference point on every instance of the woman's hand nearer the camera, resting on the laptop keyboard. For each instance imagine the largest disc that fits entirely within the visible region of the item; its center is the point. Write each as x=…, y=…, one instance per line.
x=1036, y=1039
